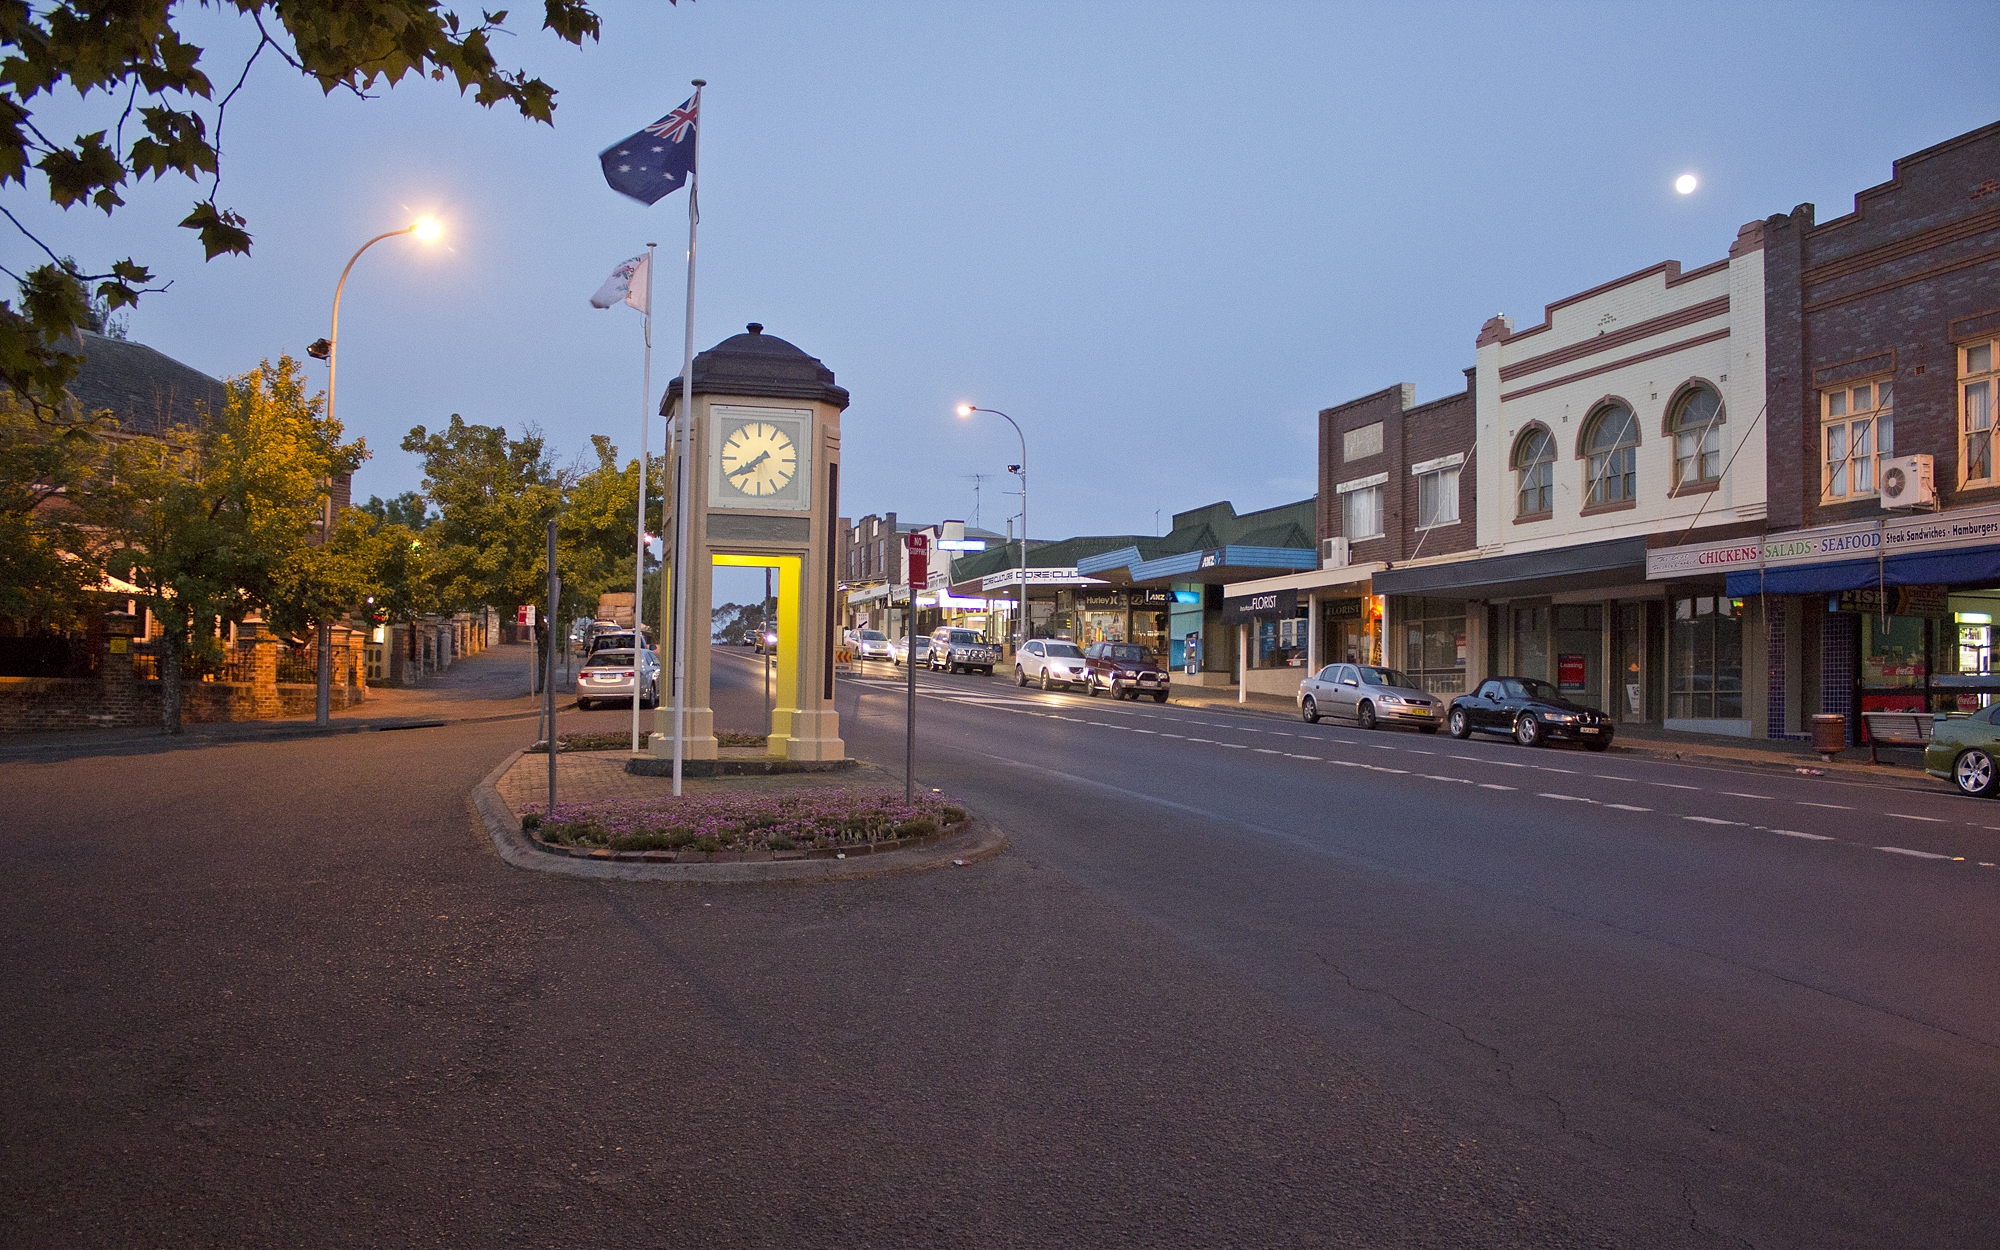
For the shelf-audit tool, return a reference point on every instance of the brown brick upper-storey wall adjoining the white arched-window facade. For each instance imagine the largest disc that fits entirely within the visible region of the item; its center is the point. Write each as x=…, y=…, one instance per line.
x=1411, y=435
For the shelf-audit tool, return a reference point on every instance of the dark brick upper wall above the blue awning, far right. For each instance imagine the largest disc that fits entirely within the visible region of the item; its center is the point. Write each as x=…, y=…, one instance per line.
x=1879, y=291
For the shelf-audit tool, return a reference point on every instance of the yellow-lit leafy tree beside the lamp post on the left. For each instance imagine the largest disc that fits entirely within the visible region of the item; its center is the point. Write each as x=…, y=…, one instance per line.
x=215, y=521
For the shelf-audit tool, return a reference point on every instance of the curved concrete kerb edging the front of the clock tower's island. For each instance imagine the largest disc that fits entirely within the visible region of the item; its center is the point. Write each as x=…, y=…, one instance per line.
x=981, y=843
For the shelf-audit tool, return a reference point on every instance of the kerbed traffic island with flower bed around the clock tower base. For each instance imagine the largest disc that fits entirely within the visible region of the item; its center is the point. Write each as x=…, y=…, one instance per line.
x=767, y=827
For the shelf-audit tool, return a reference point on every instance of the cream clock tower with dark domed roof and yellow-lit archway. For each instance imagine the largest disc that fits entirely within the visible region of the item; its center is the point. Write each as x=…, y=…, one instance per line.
x=765, y=493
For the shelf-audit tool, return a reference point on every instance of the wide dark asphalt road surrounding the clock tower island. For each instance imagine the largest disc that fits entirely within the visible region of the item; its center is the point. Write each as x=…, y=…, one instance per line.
x=1239, y=983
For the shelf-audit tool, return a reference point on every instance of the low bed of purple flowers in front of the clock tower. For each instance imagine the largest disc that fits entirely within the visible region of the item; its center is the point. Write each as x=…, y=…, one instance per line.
x=803, y=821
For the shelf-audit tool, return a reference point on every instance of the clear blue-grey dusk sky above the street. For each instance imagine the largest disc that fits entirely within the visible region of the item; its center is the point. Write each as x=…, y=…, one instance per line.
x=1159, y=235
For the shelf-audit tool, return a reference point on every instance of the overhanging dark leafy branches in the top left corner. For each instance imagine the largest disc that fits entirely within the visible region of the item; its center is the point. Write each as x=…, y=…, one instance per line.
x=163, y=117
